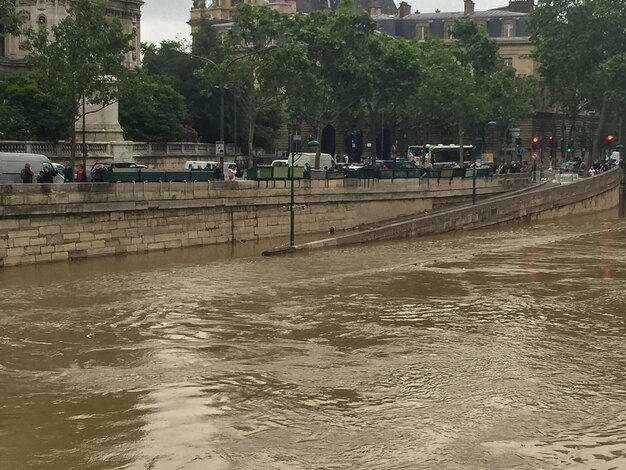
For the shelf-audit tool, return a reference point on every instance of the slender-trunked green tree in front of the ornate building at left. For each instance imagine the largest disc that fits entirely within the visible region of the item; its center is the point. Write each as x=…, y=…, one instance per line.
x=81, y=59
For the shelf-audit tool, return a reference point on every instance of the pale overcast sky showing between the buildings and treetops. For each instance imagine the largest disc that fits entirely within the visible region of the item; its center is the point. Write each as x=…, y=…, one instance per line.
x=167, y=19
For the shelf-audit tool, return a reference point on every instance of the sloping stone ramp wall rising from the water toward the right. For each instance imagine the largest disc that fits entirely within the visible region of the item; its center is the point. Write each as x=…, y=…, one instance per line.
x=546, y=201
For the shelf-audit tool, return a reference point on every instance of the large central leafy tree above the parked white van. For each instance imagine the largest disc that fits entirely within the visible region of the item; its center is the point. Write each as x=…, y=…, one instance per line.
x=327, y=67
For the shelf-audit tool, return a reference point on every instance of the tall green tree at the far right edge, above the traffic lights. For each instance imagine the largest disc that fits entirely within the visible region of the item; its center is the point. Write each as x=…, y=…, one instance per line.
x=576, y=41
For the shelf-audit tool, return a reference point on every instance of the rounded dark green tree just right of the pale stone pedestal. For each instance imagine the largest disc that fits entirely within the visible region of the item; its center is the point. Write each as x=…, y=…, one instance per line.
x=150, y=110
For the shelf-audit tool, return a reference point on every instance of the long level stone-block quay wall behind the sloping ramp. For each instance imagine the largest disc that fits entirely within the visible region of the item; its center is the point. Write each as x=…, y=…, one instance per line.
x=42, y=223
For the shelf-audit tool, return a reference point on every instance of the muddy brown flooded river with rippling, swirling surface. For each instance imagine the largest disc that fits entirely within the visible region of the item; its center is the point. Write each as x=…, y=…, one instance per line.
x=489, y=349
